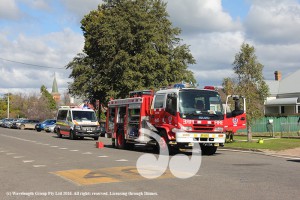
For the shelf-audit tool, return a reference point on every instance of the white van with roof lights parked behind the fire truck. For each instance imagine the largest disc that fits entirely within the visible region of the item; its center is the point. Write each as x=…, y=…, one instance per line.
x=77, y=123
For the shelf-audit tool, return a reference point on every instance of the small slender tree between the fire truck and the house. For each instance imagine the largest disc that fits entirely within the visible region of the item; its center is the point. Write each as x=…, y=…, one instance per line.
x=249, y=83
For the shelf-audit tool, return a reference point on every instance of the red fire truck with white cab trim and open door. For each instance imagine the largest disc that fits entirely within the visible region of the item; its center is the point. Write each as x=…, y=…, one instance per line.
x=180, y=116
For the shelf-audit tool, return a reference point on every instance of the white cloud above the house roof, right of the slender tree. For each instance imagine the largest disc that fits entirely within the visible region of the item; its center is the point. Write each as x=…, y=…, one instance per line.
x=274, y=28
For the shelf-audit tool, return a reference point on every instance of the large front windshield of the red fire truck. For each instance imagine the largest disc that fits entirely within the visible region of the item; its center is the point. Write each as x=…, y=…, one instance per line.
x=200, y=104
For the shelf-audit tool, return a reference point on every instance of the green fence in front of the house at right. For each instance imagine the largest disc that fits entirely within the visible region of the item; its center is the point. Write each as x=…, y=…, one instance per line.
x=285, y=126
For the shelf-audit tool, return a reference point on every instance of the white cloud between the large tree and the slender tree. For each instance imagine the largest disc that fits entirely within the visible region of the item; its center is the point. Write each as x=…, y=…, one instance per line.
x=213, y=35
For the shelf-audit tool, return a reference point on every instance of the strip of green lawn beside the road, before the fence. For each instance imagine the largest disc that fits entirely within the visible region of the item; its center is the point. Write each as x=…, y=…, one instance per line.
x=274, y=144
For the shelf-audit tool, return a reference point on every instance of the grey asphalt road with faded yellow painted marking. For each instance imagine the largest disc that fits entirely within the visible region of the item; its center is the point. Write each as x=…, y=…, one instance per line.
x=41, y=166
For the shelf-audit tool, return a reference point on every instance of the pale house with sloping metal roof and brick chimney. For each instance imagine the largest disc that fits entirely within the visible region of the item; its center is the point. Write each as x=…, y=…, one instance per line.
x=284, y=94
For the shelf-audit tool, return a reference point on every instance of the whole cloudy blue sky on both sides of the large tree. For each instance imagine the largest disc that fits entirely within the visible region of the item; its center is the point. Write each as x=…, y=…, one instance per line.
x=38, y=38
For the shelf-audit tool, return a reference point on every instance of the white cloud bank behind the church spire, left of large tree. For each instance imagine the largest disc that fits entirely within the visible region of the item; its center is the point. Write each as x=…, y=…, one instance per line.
x=50, y=50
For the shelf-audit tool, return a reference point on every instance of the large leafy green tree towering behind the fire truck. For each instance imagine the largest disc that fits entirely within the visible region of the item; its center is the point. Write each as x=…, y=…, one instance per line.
x=129, y=45
